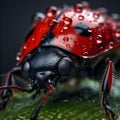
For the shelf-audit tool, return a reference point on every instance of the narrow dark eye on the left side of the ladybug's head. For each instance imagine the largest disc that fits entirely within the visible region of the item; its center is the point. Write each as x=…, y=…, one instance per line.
x=26, y=69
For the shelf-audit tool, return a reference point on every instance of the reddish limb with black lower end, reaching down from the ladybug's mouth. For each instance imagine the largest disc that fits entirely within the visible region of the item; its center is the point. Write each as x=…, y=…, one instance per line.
x=51, y=90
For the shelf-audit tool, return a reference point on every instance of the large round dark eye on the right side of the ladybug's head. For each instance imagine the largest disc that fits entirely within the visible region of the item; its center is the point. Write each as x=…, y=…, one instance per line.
x=65, y=66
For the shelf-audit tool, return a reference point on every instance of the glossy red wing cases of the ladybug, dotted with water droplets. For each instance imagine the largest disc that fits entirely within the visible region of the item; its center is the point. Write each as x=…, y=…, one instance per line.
x=104, y=32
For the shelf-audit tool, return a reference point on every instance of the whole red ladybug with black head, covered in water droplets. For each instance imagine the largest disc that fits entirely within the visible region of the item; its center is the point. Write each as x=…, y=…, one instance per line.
x=56, y=45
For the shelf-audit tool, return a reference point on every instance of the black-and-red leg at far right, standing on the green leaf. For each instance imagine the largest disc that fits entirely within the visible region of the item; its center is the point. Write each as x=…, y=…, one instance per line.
x=106, y=87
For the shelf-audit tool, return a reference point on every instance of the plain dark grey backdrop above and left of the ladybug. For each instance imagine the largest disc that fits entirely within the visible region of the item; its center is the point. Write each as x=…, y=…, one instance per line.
x=15, y=16
